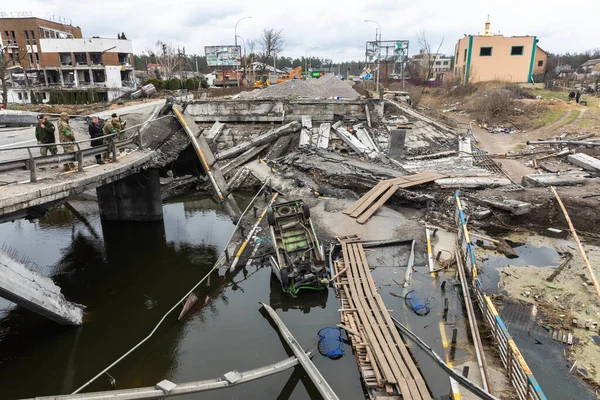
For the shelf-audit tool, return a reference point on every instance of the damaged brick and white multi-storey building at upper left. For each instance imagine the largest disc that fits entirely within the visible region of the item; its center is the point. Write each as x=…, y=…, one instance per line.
x=51, y=61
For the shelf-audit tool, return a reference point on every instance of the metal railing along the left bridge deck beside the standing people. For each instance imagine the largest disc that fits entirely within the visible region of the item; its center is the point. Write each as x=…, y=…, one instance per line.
x=109, y=146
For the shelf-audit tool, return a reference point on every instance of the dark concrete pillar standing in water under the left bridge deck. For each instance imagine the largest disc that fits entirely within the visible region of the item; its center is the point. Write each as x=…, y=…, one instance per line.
x=135, y=198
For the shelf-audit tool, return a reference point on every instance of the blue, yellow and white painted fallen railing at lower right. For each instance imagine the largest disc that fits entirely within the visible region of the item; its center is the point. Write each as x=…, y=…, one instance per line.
x=517, y=369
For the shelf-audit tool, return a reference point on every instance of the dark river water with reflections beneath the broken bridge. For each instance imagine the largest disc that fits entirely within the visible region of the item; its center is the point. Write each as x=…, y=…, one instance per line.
x=128, y=275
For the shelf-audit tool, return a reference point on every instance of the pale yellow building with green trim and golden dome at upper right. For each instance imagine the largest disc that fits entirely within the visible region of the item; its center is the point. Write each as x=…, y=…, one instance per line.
x=490, y=57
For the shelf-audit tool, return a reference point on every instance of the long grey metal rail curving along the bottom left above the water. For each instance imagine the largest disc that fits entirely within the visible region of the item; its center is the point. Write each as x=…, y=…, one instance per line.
x=150, y=392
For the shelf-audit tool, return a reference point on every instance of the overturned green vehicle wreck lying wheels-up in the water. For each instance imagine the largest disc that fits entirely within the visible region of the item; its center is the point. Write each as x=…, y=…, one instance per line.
x=298, y=262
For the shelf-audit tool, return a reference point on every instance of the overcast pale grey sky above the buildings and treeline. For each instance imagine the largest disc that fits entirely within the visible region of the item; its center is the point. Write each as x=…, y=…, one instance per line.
x=336, y=27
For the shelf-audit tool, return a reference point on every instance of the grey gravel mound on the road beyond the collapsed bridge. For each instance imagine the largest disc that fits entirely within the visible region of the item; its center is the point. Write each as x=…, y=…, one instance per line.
x=326, y=87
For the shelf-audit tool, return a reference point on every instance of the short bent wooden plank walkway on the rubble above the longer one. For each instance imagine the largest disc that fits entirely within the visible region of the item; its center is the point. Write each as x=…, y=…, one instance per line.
x=365, y=207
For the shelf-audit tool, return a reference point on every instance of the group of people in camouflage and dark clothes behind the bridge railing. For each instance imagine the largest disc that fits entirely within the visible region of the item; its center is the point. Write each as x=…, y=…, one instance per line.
x=44, y=133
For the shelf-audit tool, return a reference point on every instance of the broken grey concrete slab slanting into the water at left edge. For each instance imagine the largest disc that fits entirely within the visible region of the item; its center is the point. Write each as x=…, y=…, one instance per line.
x=36, y=293
